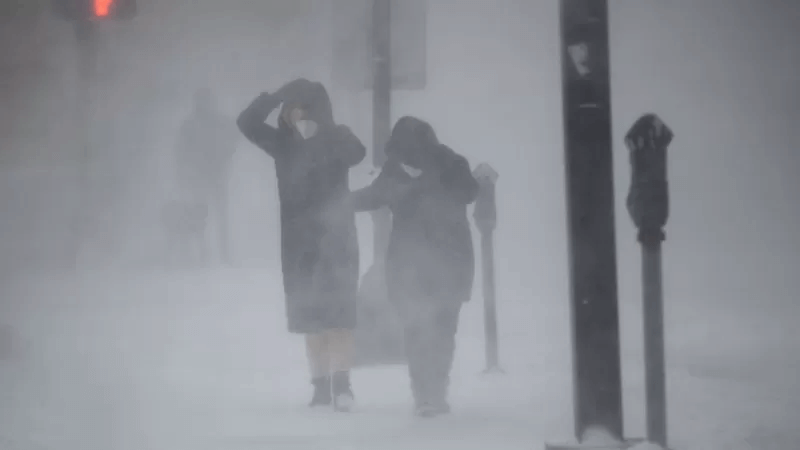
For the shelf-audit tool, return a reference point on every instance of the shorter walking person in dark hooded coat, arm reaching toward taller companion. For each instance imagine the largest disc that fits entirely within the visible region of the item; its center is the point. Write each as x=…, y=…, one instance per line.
x=430, y=261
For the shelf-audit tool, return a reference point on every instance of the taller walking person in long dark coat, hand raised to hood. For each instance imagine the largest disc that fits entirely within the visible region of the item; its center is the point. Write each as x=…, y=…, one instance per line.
x=319, y=245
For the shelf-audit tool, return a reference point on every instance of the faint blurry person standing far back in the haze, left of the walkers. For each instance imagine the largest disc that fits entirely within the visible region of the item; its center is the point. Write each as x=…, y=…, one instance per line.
x=206, y=145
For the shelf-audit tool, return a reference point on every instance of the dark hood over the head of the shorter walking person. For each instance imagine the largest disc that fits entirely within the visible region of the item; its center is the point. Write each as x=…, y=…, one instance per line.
x=412, y=140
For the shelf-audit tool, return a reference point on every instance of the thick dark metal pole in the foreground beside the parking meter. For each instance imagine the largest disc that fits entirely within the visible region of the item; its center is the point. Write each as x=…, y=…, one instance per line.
x=590, y=217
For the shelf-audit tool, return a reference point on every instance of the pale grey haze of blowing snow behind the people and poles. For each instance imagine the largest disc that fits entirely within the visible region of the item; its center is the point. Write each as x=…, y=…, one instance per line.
x=721, y=73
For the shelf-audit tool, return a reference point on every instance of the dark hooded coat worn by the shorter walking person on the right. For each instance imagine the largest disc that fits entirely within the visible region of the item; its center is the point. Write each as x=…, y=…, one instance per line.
x=430, y=255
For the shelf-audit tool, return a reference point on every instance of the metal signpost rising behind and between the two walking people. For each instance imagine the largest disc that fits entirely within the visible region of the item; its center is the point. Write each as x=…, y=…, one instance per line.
x=381, y=111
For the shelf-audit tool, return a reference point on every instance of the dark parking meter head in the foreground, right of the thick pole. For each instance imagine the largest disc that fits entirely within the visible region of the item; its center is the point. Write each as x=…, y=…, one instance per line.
x=648, y=195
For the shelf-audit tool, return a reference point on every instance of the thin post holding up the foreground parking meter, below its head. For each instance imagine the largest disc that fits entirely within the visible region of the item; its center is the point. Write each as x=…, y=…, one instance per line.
x=654, y=343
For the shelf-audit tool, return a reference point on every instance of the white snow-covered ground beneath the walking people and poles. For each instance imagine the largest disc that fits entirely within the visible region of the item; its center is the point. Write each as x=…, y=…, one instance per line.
x=202, y=361
